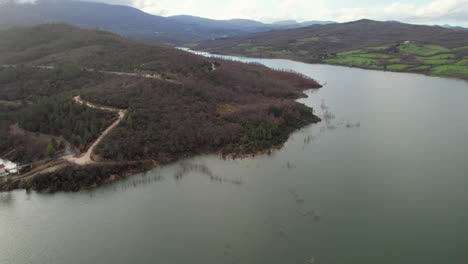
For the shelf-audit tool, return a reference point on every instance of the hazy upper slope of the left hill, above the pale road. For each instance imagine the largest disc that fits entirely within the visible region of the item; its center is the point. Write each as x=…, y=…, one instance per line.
x=53, y=44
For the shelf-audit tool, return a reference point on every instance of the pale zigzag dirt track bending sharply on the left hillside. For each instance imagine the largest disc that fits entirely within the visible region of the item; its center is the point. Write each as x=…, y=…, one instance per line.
x=85, y=158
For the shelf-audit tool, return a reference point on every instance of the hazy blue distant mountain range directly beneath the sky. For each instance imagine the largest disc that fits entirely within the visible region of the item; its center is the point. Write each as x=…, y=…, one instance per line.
x=131, y=22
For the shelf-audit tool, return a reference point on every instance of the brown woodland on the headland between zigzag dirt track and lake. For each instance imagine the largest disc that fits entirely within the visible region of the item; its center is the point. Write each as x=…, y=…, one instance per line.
x=167, y=121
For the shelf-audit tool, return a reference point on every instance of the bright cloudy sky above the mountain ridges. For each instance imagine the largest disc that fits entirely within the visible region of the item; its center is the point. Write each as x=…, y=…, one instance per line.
x=454, y=12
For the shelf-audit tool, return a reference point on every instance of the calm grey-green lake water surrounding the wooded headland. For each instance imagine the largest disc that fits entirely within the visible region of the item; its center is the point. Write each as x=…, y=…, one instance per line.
x=382, y=180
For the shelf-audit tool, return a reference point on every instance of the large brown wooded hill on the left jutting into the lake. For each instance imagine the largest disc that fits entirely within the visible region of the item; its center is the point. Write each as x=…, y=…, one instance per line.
x=178, y=103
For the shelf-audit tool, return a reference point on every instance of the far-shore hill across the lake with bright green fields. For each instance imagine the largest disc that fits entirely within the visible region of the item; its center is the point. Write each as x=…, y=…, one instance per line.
x=329, y=44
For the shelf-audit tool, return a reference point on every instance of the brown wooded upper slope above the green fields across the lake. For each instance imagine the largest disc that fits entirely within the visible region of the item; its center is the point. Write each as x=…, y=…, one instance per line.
x=323, y=39
